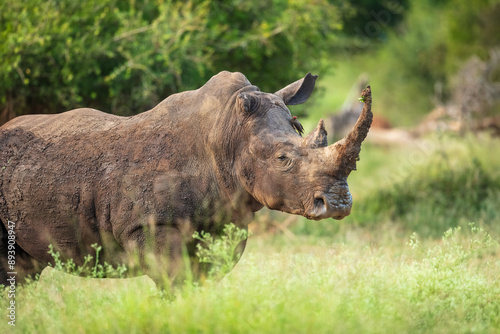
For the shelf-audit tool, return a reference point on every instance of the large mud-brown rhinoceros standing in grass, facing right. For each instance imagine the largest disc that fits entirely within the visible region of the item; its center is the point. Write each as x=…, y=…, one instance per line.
x=197, y=161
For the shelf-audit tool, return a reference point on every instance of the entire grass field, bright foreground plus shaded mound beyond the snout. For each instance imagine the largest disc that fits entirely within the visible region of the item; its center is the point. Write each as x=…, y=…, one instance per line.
x=393, y=266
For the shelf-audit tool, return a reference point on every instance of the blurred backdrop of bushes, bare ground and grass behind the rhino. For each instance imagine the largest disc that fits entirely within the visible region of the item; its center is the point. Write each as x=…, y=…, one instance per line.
x=432, y=158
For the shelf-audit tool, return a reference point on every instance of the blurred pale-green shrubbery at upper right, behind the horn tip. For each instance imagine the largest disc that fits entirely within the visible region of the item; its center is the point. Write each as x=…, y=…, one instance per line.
x=412, y=68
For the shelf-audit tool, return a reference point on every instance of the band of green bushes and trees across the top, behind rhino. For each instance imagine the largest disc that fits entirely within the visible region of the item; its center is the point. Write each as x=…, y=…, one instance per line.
x=124, y=57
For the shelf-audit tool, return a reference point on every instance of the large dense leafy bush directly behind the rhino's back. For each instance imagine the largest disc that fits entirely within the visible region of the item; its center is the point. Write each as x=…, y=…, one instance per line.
x=125, y=57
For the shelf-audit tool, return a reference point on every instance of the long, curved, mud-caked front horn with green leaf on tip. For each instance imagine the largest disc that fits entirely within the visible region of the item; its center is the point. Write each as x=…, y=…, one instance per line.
x=346, y=151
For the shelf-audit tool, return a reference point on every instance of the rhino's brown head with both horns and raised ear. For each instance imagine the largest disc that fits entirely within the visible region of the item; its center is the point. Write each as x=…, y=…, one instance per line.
x=284, y=171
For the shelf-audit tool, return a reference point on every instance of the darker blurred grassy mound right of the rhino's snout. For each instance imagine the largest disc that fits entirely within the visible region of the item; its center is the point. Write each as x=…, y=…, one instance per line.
x=450, y=183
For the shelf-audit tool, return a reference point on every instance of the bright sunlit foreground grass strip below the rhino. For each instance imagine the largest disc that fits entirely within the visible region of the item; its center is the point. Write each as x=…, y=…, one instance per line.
x=311, y=285
